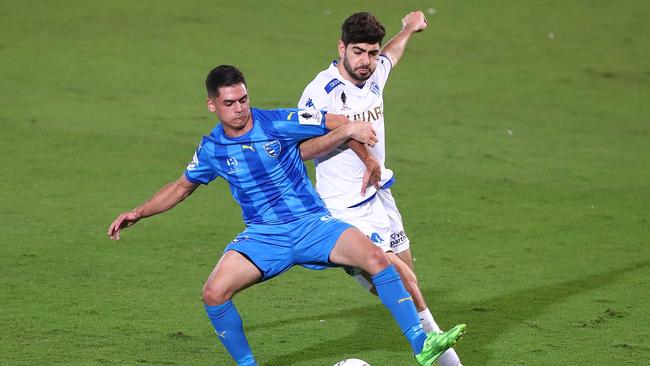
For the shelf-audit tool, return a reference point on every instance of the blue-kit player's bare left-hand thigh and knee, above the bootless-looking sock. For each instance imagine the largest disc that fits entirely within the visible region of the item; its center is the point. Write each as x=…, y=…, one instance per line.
x=233, y=273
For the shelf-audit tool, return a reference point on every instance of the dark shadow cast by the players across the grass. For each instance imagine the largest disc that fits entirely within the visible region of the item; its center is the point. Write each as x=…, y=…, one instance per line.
x=487, y=319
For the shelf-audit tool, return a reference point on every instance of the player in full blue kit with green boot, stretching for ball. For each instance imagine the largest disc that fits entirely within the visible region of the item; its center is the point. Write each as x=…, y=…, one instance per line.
x=256, y=152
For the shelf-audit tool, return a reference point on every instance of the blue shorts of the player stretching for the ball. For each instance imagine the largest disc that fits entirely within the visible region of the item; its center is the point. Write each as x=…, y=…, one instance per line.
x=274, y=249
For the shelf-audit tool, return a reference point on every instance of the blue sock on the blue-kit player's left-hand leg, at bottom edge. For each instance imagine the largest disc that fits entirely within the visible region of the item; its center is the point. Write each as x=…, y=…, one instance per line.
x=230, y=331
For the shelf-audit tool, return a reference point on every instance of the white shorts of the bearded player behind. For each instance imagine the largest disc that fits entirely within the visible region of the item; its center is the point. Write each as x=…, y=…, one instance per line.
x=378, y=219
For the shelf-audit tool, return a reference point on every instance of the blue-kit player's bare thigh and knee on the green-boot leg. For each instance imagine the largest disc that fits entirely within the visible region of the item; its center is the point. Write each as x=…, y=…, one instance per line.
x=355, y=249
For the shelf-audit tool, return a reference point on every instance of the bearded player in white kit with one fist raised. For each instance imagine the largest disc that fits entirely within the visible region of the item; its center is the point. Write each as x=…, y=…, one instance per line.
x=353, y=181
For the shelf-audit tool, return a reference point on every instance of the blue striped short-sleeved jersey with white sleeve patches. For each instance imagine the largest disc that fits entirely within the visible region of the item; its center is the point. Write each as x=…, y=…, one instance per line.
x=263, y=167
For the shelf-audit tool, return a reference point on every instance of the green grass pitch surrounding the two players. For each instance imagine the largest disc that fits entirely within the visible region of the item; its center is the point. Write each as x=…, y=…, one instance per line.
x=519, y=132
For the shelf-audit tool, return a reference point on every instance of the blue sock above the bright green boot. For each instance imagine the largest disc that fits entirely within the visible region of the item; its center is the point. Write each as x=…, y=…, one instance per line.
x=393, y=295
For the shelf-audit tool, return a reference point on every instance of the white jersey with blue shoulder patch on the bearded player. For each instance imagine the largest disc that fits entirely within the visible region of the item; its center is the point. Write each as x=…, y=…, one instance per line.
x=339, y=175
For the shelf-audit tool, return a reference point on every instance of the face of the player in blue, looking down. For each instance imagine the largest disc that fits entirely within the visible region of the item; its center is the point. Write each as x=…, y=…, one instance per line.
x=232, y=109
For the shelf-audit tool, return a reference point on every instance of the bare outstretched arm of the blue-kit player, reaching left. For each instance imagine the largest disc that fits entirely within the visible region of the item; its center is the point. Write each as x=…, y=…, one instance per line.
x=166, y=198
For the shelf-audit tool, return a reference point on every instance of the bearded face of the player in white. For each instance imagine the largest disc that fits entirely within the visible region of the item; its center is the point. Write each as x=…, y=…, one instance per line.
x=359, y=60
